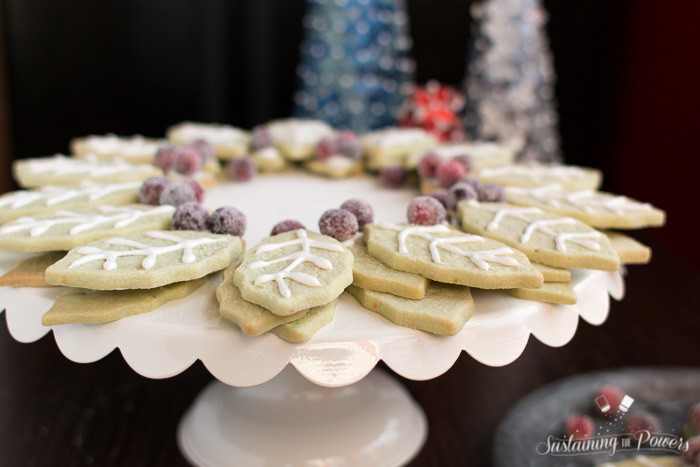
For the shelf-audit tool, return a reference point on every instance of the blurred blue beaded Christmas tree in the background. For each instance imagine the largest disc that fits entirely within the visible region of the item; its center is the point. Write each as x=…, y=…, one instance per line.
x=355, y=68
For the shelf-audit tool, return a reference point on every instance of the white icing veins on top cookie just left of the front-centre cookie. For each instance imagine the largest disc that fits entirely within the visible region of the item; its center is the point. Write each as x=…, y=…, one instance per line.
x=149, y=252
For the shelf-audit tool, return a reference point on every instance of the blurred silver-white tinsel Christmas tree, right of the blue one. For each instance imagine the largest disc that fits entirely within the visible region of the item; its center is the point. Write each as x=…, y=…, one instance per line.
x=510, y=79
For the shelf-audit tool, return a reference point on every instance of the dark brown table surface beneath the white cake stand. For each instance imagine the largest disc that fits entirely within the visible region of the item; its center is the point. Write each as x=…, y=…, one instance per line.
x=55, y=412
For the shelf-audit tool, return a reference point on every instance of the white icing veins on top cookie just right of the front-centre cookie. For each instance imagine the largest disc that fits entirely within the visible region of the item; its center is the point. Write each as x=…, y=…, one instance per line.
x=480, y=258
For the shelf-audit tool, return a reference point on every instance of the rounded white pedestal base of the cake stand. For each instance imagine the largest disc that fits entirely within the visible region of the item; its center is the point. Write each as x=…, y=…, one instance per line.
x=293, y=422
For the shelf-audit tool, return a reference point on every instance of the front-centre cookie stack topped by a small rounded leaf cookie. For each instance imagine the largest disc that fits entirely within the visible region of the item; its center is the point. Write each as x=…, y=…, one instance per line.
x=287, y=284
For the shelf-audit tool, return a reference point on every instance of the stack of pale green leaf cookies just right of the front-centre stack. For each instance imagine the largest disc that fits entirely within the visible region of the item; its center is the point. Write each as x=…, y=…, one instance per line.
x=419, y=276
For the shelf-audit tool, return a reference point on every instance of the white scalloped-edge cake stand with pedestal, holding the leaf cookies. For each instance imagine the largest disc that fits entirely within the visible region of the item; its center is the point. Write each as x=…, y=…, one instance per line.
x=331, y=409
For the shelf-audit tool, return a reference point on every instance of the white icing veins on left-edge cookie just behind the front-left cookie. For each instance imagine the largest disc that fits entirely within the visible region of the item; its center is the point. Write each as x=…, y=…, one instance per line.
x=118, y=216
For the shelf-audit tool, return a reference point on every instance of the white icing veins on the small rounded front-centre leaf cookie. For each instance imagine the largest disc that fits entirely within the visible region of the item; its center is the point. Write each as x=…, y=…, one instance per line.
x=298, y=257
